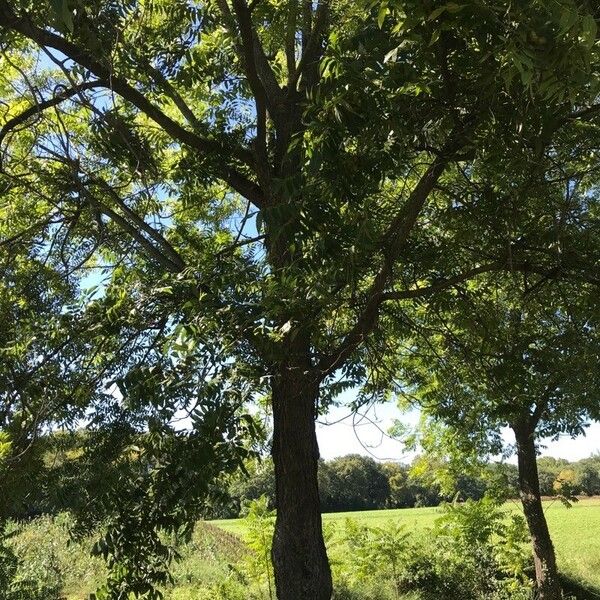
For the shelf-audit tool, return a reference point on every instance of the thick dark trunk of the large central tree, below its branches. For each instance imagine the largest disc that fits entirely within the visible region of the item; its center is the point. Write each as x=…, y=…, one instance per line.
x=299, y=557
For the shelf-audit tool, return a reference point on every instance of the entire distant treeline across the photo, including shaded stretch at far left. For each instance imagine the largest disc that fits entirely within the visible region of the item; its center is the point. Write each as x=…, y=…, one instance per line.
x=59, y=478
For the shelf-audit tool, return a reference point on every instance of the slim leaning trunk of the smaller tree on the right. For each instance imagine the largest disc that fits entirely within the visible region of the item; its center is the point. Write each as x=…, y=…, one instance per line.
x=546, y=574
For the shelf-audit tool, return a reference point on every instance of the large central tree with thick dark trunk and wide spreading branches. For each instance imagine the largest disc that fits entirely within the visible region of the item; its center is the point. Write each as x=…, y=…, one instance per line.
x=254, y=181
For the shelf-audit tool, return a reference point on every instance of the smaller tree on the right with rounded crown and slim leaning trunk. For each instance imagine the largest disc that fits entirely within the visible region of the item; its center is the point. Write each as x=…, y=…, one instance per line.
x=496, y=356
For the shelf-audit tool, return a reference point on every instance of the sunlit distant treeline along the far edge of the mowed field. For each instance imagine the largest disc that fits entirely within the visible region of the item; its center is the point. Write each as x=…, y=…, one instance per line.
x=356, y=482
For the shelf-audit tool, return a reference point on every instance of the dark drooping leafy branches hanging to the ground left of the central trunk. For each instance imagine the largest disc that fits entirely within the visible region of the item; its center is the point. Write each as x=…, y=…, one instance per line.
x=178, y=471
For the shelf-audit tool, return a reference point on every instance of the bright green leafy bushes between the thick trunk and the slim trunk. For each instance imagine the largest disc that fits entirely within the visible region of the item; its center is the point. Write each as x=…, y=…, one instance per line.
x=475, y=552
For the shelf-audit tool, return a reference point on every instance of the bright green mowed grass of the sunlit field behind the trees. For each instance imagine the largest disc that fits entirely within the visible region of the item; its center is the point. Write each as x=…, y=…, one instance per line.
x=575, y=531
